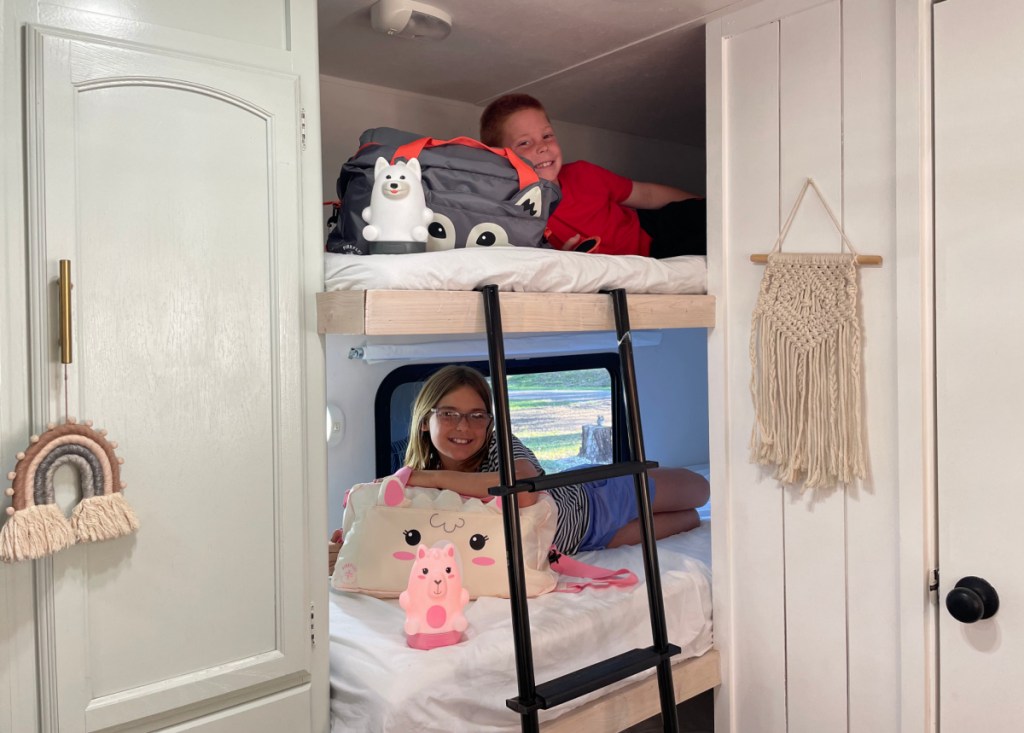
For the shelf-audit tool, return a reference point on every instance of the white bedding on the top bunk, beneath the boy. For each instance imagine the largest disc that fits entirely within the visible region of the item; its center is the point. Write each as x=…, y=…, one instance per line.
x=517, y=269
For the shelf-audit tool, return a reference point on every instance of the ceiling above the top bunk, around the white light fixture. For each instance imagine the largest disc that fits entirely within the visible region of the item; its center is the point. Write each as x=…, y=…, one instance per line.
x=630, y=66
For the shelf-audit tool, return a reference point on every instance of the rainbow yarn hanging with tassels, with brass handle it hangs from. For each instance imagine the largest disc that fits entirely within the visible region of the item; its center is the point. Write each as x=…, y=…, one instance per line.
x=36, y=527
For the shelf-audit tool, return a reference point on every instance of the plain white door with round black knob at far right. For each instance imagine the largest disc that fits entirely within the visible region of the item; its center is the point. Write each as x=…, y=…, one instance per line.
x=979, y=204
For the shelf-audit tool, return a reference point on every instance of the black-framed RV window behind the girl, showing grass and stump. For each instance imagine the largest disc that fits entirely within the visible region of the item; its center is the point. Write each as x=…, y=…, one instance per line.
x=565, y=409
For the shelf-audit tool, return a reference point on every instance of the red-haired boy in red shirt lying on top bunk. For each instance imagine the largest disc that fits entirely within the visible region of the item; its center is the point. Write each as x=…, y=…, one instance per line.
x=601, y=211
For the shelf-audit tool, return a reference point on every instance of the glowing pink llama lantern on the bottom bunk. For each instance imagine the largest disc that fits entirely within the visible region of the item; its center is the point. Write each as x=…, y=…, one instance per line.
x=435, y=598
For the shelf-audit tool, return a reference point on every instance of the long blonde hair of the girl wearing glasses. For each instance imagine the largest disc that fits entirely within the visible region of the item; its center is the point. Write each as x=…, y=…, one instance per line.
x=421, y=454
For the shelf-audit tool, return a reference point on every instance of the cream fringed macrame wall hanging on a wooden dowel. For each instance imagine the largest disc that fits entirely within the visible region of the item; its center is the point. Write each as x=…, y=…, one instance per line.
x=805, y=358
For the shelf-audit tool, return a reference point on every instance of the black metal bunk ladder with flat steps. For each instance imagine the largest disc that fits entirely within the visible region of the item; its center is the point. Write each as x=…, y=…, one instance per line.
x=534, y=698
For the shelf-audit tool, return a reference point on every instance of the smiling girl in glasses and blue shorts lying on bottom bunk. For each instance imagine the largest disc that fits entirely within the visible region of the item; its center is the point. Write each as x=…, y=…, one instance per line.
x=453, y=446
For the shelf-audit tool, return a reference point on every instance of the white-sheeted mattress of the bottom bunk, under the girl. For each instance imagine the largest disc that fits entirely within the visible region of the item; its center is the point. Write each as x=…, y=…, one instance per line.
x=378, y=684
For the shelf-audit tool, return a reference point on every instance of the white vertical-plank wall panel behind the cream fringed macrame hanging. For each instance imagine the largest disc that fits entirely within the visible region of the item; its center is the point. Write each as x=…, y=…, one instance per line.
x=807, y=605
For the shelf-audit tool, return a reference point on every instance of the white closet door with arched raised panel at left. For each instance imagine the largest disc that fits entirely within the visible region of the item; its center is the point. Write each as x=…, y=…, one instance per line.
x=172, y=185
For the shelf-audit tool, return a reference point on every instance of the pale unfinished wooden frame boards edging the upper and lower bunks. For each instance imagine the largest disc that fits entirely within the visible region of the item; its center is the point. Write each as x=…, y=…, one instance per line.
x=404, y=313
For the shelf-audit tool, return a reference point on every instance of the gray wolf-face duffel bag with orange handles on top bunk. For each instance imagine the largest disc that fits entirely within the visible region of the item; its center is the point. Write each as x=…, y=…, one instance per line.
x=480, y=196
